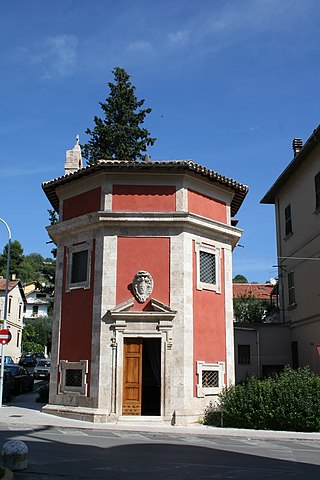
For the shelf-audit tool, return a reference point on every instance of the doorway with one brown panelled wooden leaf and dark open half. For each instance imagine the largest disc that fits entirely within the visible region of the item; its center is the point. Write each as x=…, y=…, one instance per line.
x=141, y=376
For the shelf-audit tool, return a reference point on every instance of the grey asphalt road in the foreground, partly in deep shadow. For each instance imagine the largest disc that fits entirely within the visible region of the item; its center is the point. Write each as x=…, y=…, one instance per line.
x=59, y=453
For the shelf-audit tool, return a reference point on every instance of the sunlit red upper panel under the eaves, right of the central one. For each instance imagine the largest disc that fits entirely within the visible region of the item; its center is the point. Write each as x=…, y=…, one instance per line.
x=206, y=206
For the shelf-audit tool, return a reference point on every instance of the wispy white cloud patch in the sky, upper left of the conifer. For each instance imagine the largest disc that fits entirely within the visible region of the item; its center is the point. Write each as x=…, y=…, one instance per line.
x=55, y=57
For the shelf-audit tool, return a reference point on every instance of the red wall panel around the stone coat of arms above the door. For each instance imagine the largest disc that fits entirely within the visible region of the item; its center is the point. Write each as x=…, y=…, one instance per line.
x=143, y=253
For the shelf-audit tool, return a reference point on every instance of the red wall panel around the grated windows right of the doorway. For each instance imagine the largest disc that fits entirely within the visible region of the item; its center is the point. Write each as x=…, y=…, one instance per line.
x=209, y=323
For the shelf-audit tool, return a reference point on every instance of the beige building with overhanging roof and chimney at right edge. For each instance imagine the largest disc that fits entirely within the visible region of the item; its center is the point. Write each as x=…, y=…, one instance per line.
x=296, y=196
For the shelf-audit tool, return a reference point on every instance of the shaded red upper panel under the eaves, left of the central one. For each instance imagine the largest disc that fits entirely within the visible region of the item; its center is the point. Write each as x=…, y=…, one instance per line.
x=80, y=204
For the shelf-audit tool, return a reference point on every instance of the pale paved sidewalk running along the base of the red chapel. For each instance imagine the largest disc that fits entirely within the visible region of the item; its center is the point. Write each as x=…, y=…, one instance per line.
x=24, y=416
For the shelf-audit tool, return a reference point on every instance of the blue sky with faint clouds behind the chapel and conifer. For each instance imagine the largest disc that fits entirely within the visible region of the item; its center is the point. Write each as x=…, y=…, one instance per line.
x=231, y=83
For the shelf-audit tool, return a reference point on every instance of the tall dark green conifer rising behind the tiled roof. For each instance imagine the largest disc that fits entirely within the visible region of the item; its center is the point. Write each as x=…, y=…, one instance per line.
x=119, y=135
